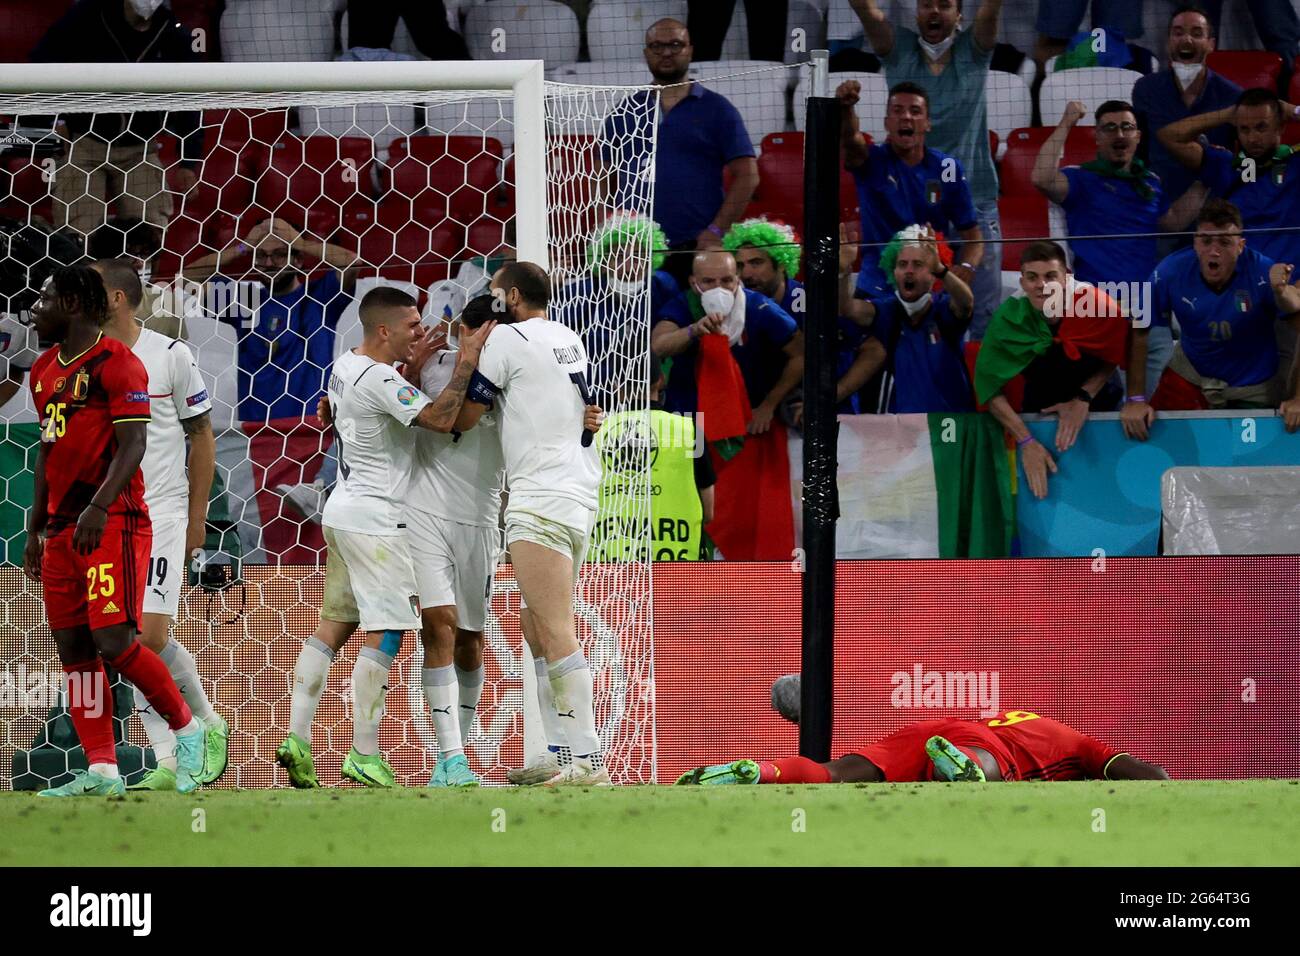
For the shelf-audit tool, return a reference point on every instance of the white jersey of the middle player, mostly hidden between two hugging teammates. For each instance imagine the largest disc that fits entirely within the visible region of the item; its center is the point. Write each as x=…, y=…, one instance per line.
x=457, y=477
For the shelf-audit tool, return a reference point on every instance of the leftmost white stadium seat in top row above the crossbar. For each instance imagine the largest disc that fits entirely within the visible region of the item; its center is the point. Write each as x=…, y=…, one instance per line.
x=278, y=32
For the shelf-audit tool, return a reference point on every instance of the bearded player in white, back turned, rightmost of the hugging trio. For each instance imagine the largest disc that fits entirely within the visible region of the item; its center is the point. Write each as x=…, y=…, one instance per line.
x=534, y=375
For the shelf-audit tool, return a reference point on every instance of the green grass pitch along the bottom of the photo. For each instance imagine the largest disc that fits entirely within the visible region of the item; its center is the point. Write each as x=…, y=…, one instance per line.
x=1198, y=824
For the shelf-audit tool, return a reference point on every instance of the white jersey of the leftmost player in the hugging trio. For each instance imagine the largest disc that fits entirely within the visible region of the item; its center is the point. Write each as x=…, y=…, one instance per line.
x=374, y=409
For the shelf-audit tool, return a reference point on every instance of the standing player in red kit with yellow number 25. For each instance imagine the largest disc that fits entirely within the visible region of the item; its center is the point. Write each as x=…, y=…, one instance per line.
x=89, y=535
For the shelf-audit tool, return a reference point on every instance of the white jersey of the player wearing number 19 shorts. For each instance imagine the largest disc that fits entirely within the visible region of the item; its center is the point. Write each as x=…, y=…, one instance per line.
x=176, y=393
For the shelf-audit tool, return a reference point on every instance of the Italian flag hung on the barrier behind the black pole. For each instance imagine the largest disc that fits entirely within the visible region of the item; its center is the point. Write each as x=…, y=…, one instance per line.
x=933, y=486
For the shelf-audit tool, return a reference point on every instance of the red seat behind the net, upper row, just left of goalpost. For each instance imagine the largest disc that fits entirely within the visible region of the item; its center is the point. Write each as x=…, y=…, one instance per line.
x=447, y=176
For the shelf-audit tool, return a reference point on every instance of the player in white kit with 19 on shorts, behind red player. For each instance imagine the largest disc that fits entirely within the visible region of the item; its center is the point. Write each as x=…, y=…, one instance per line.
x=176, y=492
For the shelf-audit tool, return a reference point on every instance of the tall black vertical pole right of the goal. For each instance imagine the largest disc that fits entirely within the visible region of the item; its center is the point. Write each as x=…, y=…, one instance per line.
x=821, y=430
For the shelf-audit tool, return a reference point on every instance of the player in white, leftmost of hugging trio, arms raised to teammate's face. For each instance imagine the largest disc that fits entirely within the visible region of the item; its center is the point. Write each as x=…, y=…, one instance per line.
x=370, y=577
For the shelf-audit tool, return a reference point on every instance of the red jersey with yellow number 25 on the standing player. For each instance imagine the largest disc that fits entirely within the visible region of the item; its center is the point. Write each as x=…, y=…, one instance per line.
x=79, y=403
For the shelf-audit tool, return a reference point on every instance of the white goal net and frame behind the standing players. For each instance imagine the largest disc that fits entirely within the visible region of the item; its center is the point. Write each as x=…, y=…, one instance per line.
x=259, y=219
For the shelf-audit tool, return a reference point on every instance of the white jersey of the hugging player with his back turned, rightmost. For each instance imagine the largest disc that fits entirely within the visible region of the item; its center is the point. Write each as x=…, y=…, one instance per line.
x=539, y=373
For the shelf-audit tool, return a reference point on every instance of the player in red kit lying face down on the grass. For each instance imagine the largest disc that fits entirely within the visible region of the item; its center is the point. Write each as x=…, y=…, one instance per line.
x=1015, y=746
